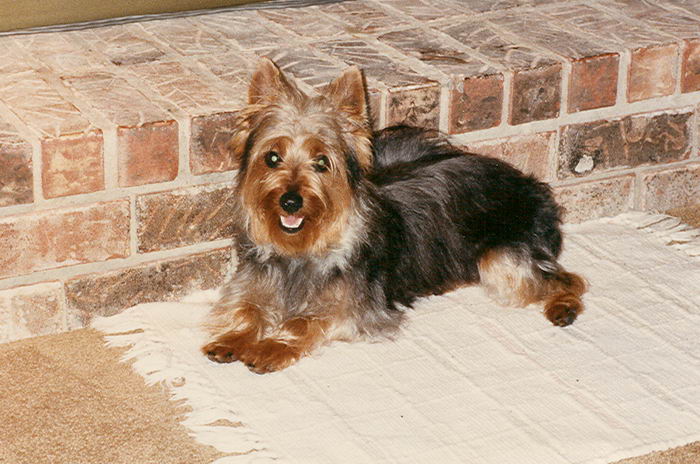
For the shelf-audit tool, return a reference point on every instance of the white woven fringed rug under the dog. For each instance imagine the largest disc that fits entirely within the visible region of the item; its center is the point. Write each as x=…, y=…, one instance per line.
x=467, y=382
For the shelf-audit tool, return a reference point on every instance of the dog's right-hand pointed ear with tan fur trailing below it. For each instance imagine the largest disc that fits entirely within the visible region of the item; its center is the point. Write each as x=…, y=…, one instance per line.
x=347, y=94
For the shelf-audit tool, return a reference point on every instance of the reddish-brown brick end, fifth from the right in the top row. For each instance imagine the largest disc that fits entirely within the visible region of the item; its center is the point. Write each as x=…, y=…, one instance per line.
x=477, y=105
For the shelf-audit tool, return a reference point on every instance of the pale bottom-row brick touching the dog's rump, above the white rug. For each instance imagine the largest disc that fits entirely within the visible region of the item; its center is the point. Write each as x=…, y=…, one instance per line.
x=592, y=200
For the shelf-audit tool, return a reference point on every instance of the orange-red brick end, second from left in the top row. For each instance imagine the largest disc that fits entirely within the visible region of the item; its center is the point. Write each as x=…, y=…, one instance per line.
x=72, y=164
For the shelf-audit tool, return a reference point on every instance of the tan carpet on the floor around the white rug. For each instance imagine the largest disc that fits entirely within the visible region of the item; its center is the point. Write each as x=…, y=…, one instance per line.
x=66, y=399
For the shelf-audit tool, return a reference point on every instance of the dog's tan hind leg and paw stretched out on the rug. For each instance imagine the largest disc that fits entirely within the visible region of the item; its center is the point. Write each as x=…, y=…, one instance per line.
x=513, y=278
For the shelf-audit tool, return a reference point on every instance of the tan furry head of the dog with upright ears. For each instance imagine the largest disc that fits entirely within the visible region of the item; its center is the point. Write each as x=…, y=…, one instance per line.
x=300, y=160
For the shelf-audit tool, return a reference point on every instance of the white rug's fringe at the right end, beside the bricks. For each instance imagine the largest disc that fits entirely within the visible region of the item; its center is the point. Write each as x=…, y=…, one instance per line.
x=671, y=230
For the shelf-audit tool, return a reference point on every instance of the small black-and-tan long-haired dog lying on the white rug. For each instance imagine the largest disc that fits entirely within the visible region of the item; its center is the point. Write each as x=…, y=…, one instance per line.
x=340, y=230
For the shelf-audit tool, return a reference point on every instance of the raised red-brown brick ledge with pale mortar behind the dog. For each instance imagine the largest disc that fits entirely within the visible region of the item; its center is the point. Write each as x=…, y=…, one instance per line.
x=114, y=181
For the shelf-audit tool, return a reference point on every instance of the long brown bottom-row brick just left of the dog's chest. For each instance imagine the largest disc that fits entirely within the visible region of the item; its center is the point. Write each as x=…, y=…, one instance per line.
x=106, y=294
